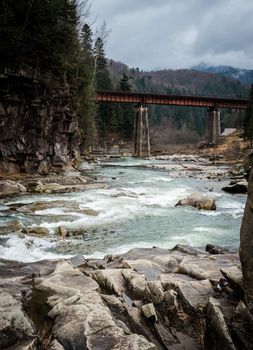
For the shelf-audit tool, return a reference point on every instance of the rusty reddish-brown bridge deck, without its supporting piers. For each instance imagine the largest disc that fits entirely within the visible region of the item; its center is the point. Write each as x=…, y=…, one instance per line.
x=173, y=100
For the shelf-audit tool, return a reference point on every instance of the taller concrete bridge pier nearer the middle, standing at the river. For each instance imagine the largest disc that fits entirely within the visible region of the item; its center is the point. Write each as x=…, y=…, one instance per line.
x=141, y=133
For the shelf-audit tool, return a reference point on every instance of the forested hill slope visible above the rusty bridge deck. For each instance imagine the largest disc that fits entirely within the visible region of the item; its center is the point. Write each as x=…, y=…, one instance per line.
x=180, y=81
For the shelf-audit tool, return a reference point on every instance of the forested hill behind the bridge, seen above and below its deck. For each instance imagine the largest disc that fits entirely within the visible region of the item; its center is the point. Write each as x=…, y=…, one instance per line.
x=181, y=124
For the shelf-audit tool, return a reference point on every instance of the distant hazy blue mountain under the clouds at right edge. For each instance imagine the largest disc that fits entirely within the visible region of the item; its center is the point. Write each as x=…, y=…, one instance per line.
x=245, y=76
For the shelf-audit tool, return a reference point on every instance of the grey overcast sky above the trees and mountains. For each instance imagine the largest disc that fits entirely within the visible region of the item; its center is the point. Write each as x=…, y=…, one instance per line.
x=155, y=34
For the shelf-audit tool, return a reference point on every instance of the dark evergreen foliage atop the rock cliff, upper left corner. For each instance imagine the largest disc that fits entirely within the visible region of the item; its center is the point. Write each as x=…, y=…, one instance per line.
x=39, y=34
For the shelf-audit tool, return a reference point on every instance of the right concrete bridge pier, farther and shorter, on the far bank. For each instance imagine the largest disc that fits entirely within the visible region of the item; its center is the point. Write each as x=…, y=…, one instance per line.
x=213, y=126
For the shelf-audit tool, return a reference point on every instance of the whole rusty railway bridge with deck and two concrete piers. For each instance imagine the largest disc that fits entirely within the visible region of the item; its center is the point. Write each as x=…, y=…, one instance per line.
x=142, y=99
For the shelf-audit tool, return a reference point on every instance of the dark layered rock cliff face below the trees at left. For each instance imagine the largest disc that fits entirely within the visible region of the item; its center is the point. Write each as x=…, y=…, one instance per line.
x=39, y=127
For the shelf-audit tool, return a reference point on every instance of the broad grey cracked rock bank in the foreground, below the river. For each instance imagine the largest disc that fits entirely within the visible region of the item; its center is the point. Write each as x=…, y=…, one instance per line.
x=145, y=299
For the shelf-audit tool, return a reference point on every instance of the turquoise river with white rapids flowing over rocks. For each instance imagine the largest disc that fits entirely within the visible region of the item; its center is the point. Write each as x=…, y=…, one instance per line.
x=136, y=210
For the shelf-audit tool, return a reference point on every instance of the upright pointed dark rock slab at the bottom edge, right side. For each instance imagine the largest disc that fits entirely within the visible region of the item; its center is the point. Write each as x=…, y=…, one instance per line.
x=217, y=334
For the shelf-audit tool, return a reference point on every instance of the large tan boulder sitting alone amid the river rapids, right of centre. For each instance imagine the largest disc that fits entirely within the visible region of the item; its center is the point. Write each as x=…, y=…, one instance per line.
x=198, y=201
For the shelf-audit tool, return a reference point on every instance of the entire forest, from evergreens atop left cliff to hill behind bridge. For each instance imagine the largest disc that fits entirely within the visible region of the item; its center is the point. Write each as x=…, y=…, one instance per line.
x=52, y=41
